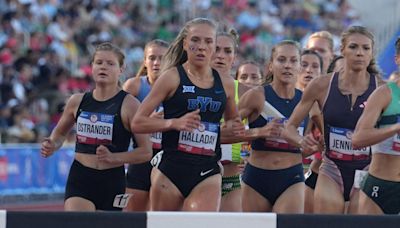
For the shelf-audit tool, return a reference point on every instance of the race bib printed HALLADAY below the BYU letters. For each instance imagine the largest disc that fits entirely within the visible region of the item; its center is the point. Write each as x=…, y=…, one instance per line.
x=201, y=141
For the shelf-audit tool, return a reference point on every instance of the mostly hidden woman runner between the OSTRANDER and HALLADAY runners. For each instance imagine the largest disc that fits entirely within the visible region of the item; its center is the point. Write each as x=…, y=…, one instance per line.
x=138, y=176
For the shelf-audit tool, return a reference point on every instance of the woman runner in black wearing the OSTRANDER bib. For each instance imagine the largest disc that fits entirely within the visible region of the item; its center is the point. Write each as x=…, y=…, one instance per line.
x=103, y=121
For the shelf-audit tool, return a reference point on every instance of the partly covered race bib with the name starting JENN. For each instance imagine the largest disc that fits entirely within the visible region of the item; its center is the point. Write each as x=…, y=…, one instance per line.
x=340, y=141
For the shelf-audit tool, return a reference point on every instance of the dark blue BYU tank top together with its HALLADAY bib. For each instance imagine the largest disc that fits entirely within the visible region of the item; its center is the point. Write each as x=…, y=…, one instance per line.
x=202, y=144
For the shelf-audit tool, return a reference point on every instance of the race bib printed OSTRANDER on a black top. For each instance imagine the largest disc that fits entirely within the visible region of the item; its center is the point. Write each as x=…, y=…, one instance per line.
x=94, y=128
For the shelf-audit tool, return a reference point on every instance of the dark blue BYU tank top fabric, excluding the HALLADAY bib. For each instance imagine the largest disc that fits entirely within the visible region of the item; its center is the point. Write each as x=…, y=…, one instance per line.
x=187, y=98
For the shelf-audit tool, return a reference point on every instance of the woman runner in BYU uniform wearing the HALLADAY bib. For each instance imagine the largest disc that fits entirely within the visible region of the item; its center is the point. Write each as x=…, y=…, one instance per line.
x=188, y=175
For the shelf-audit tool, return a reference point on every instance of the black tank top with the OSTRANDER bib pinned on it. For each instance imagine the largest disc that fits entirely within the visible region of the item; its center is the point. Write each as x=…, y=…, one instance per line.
x=100, y=123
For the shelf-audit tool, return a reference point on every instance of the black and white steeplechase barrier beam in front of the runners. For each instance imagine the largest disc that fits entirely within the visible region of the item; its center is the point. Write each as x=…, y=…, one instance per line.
x=190, y=220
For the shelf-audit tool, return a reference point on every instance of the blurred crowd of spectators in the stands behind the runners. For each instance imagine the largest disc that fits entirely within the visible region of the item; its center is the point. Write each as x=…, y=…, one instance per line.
x=45, y=44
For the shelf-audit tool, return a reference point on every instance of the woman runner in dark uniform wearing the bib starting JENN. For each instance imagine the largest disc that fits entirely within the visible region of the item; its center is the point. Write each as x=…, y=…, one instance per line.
x=342, y=97
